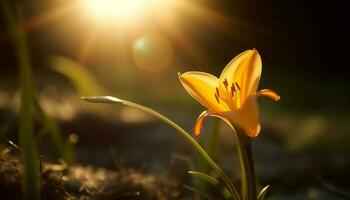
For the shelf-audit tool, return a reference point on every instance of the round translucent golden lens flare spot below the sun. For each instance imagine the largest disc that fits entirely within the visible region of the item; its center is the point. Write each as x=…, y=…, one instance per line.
x=152, y=52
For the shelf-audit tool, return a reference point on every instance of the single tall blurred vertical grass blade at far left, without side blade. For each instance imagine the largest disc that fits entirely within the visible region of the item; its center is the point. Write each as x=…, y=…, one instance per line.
x=30, y=182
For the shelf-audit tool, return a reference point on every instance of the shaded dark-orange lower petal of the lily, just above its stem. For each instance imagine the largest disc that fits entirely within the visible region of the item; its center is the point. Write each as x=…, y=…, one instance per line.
x=247, y=117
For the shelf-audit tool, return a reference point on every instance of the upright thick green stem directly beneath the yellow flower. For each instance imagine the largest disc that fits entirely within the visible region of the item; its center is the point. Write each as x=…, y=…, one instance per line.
x=247, y=165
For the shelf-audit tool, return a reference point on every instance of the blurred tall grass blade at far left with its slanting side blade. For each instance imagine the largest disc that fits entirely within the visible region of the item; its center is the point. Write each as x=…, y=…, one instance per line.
x=28, y=106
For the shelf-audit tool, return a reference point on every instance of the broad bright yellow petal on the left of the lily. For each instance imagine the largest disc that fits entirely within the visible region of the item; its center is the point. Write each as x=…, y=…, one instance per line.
x=202, y=87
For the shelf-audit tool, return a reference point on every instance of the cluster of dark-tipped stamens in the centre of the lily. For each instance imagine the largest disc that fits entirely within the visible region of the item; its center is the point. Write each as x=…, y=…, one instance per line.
x=232, y=92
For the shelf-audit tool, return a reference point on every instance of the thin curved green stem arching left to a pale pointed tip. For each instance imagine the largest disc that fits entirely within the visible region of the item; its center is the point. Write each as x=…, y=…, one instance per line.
x=184, y=133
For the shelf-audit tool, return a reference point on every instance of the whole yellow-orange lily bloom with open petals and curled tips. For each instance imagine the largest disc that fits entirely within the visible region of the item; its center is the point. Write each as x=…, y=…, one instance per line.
x=233, y=96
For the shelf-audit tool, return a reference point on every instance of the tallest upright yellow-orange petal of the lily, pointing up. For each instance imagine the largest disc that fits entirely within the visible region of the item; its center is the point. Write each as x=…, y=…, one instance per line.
x=245, y=69
